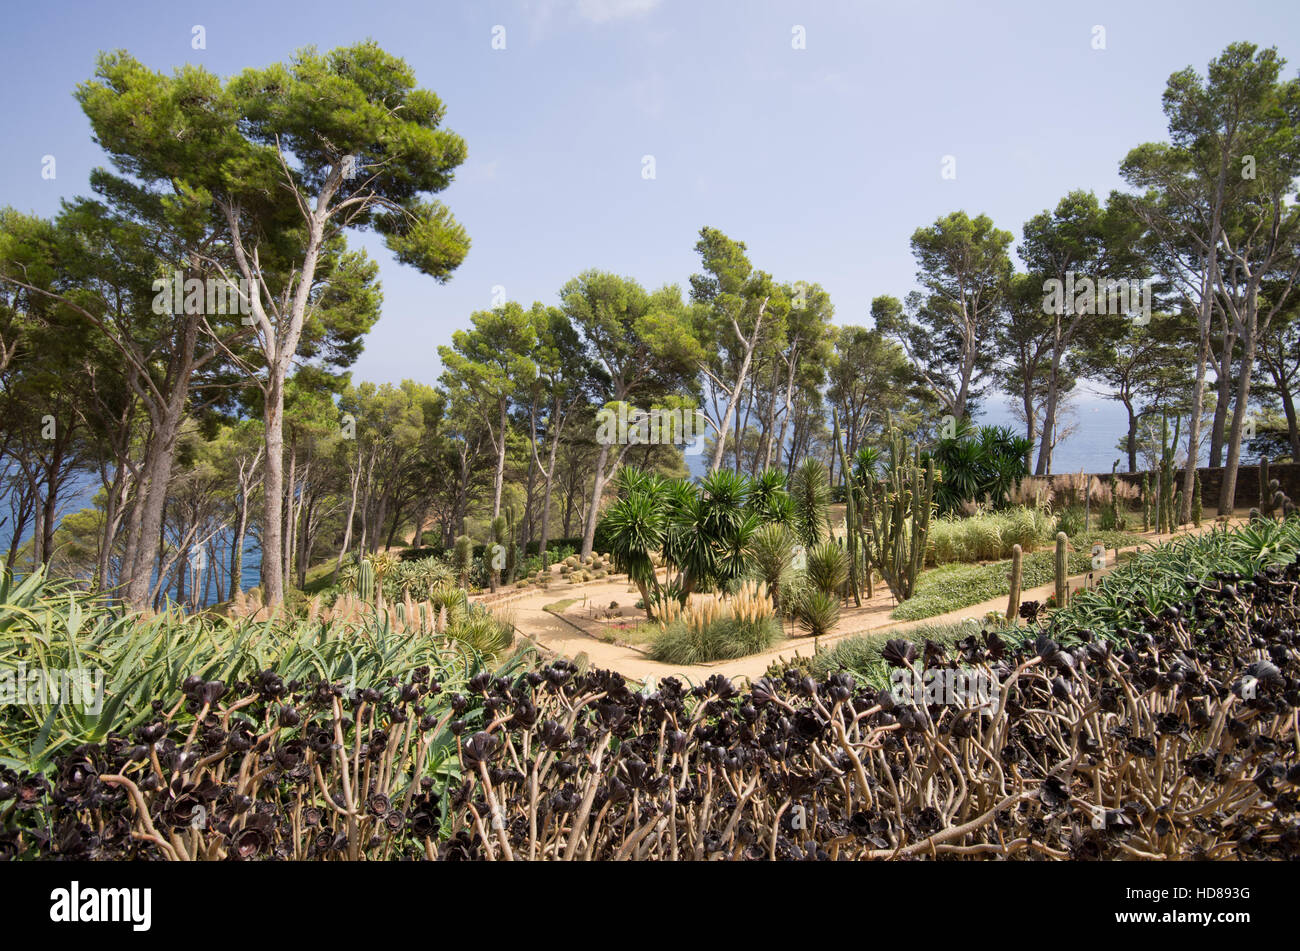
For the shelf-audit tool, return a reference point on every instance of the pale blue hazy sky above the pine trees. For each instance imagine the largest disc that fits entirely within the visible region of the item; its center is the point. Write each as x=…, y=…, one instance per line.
x=822, y=159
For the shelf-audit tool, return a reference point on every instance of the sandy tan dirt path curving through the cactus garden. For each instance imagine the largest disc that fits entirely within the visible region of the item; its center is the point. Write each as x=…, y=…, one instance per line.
x=567, y=635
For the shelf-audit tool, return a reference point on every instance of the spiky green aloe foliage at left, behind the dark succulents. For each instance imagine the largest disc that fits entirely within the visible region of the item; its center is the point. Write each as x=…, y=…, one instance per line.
x=50, y=627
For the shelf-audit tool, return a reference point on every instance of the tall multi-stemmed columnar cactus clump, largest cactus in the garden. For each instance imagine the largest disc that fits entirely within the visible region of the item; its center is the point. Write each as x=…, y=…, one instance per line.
x=898, y=510
